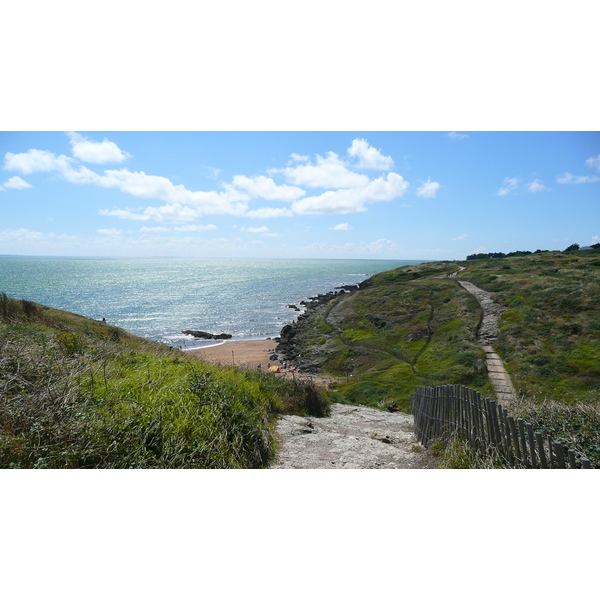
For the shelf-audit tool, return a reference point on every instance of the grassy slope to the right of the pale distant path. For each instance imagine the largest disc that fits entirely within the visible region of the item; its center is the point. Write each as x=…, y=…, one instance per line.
x=550, y=333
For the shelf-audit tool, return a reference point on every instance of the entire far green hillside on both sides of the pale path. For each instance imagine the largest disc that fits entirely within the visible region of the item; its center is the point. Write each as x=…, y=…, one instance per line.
x=413, y=326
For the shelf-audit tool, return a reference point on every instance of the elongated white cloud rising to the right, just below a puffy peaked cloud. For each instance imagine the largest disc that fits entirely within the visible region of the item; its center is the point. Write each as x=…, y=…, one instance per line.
x=353, y=200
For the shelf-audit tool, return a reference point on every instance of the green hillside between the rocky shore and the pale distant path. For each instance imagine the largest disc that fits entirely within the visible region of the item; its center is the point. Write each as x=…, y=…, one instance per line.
x=402, y=328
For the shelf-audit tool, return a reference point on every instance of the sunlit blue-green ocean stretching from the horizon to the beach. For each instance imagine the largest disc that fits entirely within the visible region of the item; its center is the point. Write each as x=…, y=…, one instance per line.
x=158, y=298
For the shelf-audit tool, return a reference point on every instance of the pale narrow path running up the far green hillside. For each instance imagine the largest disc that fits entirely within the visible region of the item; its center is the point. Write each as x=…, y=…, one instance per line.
x=486, y=336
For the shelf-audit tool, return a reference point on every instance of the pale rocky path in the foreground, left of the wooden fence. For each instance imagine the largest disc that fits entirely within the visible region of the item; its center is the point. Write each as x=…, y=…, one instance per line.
x=353, y=437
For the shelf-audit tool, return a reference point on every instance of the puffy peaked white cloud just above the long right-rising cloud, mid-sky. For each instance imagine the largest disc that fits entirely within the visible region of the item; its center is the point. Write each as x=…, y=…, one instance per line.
x=328, y=172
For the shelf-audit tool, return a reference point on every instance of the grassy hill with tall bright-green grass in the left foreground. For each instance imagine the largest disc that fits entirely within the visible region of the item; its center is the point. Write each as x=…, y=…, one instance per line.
x=77, y=393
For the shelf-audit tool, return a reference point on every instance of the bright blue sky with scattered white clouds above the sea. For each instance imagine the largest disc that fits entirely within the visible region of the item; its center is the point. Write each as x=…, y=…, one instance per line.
x=392, y=195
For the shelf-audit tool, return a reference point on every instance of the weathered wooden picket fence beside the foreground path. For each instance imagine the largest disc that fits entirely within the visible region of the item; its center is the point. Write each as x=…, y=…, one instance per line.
x=445, y=411
